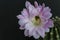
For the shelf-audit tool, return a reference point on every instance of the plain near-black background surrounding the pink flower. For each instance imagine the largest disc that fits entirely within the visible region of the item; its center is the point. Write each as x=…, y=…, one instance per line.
x=9, y=9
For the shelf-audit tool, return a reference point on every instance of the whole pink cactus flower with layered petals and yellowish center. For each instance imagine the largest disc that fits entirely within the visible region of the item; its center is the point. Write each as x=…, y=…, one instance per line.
x=35, y=20
